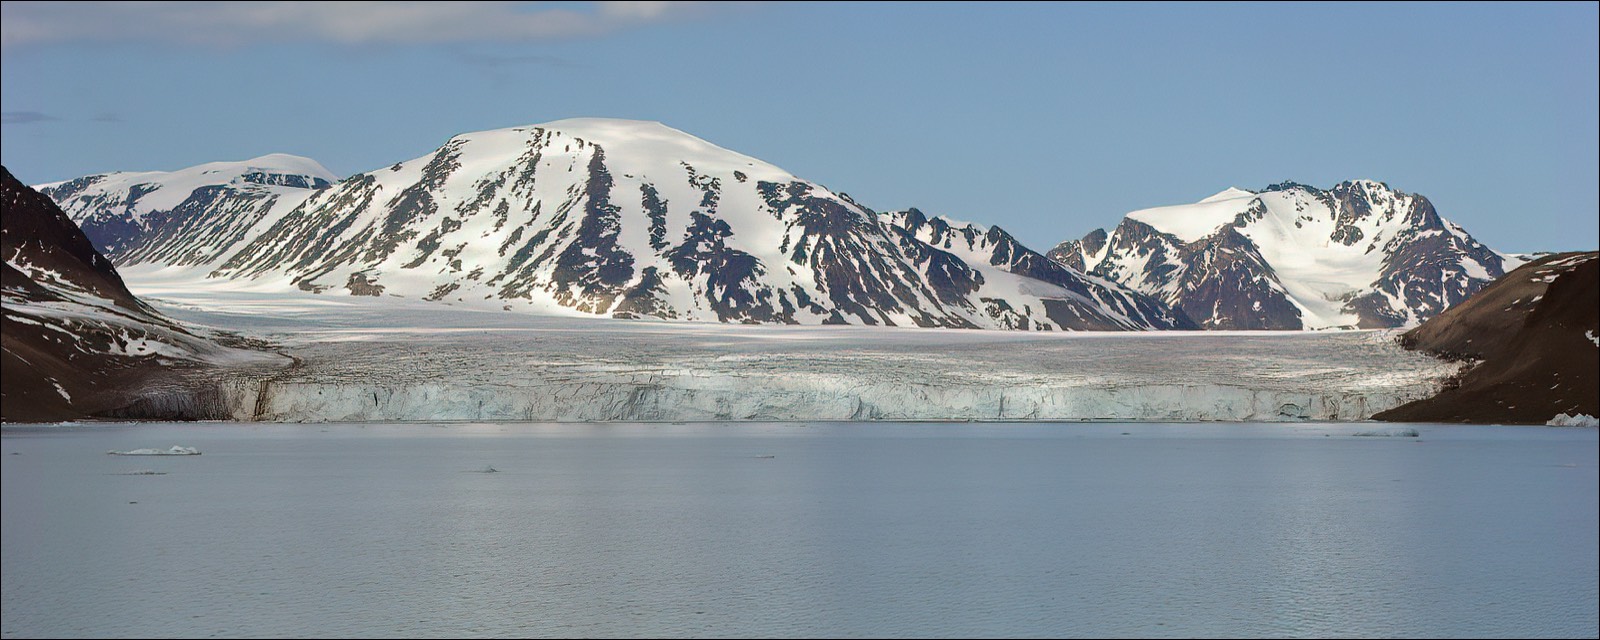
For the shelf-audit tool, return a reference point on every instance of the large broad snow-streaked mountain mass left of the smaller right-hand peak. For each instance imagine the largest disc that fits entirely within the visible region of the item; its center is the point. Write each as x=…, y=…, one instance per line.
x=594, y=217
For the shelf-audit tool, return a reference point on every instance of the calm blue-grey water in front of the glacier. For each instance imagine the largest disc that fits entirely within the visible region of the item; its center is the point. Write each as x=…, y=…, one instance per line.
x=854, y=530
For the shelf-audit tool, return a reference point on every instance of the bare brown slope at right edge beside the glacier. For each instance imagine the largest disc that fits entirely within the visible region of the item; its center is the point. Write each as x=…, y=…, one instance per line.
x=1535, y=332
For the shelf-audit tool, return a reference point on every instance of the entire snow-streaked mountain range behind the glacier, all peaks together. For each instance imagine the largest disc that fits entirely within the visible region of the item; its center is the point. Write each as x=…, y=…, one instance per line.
x=638, y=220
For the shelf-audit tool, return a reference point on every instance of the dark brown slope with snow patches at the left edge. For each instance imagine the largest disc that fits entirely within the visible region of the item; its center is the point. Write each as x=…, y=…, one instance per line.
x=76, y=342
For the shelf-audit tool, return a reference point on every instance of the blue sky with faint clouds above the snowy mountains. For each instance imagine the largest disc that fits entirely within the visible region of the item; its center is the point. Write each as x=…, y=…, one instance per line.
x=1047, y=119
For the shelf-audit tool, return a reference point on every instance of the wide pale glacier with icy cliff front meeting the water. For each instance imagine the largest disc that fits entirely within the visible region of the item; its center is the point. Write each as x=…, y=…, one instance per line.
x=401, y=359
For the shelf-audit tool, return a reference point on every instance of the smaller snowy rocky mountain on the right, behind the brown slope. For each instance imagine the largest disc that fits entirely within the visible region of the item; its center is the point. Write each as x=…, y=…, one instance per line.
x=1292, y=257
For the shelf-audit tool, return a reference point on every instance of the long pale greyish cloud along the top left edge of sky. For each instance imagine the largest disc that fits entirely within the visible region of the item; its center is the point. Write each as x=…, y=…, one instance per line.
x=342, y=23
